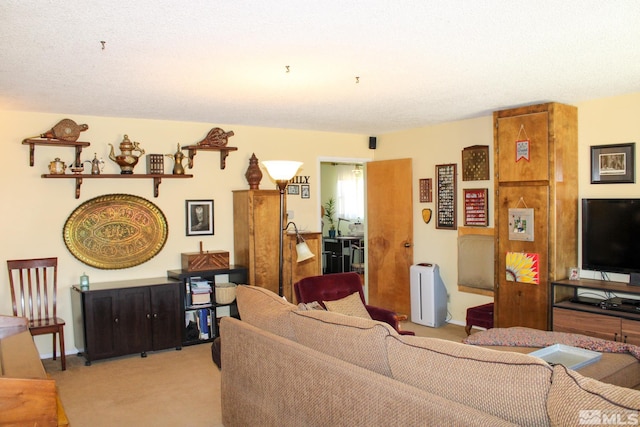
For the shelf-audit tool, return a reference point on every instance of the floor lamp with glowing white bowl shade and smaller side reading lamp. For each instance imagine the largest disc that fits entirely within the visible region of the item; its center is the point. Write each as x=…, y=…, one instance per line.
x=281, y=171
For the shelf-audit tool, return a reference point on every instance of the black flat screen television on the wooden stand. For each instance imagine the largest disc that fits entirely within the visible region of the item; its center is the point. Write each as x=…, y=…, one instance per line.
x=611, y=236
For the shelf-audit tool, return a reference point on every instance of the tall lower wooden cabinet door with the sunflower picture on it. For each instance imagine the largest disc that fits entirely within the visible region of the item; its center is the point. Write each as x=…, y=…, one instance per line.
x=519, y=303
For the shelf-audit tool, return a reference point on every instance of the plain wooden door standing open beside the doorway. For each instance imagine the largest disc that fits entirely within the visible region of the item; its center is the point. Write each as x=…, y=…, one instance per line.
x=389, y=233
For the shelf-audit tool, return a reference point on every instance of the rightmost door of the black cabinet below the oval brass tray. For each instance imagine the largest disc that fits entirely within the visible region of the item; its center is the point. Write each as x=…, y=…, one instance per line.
x=165, y=316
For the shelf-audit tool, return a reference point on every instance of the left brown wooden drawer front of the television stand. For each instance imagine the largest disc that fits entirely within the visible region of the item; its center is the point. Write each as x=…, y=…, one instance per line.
x=579, y=322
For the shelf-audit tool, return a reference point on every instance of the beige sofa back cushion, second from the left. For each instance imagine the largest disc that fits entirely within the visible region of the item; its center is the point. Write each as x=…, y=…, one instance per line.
x=352, y=339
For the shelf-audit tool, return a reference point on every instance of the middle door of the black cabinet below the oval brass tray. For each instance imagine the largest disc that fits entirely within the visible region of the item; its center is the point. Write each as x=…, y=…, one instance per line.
x=133, y=320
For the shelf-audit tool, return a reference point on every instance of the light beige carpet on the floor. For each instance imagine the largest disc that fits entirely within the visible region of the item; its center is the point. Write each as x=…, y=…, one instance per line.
x=167, y=388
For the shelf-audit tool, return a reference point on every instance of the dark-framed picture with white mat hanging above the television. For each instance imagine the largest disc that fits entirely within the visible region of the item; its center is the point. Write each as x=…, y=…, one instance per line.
x=613, y=164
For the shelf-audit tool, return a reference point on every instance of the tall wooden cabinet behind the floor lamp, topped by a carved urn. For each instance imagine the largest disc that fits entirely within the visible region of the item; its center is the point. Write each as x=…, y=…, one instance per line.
x=256, y=235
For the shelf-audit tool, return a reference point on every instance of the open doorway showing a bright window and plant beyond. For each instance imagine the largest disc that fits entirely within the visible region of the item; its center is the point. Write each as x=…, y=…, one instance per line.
x=342, y=194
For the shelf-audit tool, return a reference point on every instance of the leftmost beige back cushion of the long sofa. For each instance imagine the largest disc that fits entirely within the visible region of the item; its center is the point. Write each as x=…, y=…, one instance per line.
x=266, y=310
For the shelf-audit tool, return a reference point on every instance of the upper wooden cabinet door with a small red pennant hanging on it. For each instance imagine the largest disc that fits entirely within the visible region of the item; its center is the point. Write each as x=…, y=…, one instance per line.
x=523, y=148
